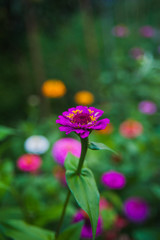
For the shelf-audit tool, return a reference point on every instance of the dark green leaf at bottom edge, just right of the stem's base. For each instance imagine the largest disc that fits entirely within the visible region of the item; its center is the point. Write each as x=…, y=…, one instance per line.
x=73, y=232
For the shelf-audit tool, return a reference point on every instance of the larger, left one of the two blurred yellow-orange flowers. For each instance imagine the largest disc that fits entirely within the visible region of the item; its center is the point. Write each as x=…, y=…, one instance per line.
x=53, y=89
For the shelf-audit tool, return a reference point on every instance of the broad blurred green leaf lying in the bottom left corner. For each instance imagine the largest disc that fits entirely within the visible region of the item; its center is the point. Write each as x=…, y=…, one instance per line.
x=19, y=230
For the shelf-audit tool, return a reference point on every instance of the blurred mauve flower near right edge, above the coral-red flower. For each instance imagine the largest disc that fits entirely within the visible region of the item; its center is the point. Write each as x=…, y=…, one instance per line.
x=147, y=107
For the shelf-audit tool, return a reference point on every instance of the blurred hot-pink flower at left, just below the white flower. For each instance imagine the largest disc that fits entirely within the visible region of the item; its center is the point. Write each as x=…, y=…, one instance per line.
x=29, y=162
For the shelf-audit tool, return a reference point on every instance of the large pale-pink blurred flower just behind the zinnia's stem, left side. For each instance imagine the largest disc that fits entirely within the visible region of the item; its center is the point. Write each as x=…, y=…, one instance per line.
x=64, y=146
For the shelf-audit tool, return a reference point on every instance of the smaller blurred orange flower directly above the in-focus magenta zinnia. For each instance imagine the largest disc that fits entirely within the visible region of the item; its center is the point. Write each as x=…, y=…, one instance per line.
x=84, y=98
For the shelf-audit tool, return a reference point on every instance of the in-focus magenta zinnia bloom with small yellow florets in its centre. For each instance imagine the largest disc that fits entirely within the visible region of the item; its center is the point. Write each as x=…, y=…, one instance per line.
x=82, y=120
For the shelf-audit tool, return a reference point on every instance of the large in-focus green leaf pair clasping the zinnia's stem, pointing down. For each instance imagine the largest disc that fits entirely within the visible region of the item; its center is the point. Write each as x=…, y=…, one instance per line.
x=84, y=189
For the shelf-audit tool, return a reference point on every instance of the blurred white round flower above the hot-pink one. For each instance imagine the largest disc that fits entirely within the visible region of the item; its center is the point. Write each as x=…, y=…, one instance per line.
x=36, y=144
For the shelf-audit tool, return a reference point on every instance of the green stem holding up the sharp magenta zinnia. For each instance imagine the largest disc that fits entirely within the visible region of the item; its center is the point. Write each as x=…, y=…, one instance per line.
x=84, y=146
